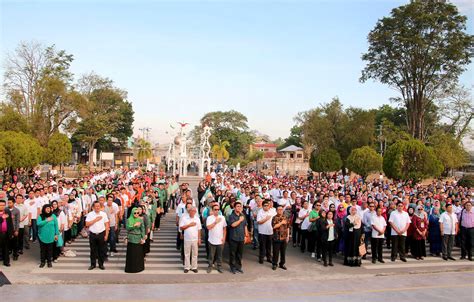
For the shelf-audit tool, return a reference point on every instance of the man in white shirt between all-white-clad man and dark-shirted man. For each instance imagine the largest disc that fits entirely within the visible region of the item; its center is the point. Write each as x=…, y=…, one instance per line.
x=216, y=224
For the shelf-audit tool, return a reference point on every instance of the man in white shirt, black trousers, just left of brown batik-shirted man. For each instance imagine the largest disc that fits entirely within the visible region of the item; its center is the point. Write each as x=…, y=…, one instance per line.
x=265, y=231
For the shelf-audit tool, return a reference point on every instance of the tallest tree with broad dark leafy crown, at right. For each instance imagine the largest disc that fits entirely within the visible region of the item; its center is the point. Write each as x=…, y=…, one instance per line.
x=421, y=49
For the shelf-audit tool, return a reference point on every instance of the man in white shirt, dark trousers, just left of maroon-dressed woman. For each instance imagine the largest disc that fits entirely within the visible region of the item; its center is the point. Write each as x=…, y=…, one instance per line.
x=399, y=221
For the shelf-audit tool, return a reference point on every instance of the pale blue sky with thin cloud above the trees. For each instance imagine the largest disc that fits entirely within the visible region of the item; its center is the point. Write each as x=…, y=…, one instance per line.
x=181, y=59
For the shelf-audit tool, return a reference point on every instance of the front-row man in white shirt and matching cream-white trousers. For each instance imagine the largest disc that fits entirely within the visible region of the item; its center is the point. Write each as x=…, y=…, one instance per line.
x=191, y=227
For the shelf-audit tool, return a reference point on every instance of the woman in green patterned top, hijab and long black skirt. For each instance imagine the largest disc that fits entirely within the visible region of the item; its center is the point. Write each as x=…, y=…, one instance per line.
x=135, y=261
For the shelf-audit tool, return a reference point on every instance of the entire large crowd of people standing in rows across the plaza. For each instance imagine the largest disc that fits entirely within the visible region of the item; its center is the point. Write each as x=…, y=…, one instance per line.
x=326, y=217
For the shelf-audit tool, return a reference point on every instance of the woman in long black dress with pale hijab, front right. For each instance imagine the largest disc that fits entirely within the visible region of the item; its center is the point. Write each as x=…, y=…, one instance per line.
x=352, y=226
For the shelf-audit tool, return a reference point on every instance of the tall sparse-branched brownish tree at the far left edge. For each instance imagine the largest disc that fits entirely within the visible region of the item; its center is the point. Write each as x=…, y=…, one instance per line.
x=37, y=83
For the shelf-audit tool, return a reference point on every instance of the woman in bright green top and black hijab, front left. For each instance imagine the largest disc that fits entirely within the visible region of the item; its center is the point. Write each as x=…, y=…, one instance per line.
x=48, y=232
